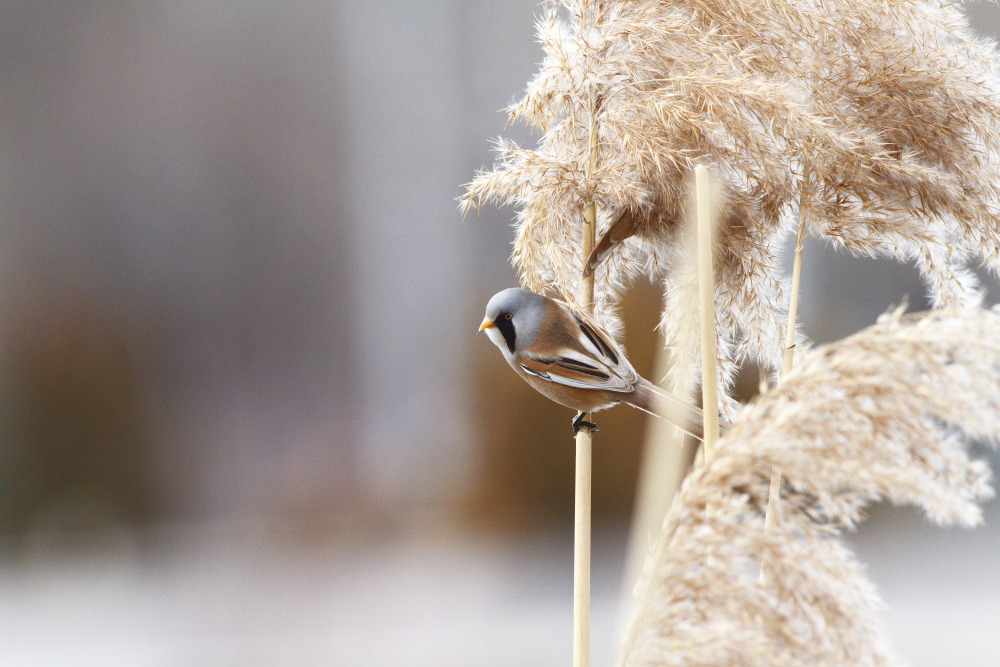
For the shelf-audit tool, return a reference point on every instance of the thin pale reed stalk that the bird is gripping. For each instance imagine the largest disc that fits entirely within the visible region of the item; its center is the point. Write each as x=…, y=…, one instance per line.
x=584, y=447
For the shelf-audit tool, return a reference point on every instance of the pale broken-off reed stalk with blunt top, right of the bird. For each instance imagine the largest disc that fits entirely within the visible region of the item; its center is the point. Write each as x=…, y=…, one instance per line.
x=705, y=212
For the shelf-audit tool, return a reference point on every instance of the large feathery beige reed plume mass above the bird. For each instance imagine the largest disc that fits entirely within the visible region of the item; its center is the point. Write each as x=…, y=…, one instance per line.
x=890, y=106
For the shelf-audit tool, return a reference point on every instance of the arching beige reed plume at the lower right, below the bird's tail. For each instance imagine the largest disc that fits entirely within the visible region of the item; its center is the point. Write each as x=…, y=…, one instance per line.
x=878, y=416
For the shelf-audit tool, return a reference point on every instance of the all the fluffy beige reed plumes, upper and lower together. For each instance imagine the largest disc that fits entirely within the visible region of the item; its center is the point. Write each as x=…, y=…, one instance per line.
x=877, y=124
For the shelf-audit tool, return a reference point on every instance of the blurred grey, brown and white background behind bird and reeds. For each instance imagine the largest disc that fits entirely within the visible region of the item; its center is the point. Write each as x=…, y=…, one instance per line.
x=245, y=418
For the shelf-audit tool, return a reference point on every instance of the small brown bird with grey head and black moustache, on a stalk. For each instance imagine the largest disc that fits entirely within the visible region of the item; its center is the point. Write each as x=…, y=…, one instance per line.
x=571, y=361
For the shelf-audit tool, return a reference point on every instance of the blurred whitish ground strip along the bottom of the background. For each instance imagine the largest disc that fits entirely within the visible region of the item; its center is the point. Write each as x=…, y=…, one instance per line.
x=225, y=595
